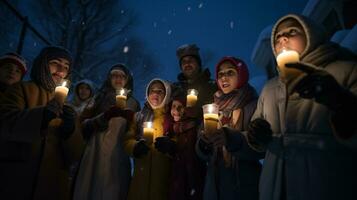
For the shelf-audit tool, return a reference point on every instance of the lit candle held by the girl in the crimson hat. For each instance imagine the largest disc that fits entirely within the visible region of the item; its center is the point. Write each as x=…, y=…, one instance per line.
x=210, y=116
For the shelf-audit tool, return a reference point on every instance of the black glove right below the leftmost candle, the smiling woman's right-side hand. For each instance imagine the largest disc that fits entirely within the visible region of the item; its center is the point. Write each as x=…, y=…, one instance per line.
x=68, y=122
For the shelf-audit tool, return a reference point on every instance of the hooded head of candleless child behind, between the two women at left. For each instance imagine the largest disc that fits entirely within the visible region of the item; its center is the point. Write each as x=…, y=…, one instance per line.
x=83, y=92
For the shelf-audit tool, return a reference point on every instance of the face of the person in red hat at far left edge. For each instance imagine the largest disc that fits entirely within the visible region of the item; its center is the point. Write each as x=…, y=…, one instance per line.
x=10, y=74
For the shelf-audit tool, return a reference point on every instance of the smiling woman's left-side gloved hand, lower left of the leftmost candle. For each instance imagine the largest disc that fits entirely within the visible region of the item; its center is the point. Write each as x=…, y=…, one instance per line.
x=52, y=110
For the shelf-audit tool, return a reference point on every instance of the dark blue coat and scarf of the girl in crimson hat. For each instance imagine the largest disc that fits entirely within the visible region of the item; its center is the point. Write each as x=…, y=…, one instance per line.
x=233, y=173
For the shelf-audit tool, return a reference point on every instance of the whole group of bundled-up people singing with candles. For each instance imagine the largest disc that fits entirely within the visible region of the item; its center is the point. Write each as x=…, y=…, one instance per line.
x=90, y=148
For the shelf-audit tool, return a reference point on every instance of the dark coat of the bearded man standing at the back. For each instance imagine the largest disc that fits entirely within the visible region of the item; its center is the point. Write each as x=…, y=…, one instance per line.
x=205, y=86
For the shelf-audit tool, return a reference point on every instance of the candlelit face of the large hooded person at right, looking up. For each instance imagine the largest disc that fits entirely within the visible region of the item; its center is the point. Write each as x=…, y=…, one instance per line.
x=290, y=37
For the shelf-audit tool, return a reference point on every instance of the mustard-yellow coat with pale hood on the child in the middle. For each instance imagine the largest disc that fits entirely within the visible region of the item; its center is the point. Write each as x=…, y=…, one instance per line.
x=150, y=180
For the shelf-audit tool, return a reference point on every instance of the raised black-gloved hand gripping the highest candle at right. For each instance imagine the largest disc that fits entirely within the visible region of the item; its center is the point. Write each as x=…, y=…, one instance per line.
x=317, y=84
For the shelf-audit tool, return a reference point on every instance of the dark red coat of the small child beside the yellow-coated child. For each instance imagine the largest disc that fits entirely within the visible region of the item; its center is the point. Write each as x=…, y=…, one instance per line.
x=188, y=171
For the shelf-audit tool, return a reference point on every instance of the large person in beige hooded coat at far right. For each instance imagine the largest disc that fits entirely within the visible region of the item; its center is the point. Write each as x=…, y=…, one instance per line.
x=307, y=123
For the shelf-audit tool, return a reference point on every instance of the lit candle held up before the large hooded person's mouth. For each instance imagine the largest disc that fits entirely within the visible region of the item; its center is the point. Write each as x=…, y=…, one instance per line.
x=287, y=56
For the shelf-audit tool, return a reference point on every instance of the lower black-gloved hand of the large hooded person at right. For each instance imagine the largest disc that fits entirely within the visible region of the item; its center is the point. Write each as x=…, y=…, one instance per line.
x=259, y=134
